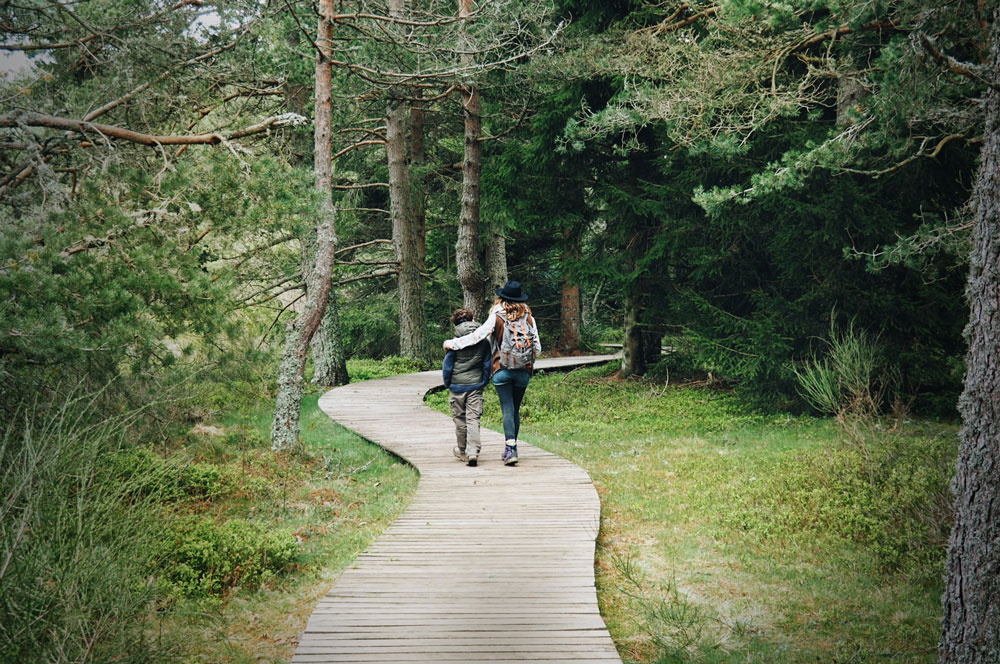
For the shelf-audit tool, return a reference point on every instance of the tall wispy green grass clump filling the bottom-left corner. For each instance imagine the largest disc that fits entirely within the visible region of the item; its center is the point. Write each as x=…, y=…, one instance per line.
x=77, y=542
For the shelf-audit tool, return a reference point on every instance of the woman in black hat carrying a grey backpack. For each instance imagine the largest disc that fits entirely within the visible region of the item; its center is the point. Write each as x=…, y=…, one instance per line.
x=514, y=338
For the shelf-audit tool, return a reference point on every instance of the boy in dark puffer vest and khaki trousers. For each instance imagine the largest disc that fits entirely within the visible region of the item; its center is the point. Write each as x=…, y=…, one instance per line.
x=466, y=373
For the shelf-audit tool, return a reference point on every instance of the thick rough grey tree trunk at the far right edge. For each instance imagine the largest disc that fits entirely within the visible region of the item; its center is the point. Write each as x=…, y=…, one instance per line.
x=971, y=625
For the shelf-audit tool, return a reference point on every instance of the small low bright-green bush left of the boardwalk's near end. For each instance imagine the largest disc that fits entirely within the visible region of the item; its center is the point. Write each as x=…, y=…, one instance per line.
x=202, y=557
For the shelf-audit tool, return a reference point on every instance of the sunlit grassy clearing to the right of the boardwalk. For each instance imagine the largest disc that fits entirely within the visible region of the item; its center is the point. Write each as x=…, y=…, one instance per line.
x=734, y=536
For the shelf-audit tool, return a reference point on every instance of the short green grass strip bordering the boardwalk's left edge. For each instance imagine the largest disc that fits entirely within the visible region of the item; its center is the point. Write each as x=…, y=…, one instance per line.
x=335, y=497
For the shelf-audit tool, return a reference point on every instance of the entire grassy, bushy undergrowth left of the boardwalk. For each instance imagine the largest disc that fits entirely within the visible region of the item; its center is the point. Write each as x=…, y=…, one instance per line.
x=185, y=540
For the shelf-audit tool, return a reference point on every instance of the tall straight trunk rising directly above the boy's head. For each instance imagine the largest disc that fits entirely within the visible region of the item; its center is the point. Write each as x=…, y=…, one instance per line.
x=470, y=273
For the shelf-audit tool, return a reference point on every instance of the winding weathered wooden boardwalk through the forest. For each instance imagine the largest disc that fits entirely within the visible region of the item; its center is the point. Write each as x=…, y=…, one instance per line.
x=487, y=564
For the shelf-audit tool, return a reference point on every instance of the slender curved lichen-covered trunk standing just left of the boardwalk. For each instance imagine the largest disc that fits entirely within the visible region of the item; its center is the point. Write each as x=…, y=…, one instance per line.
x=285, y=427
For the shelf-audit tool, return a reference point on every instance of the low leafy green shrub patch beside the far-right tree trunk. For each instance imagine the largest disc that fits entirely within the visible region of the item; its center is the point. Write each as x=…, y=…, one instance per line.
x=895, y=500
